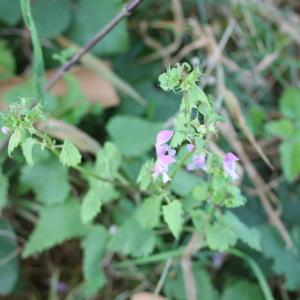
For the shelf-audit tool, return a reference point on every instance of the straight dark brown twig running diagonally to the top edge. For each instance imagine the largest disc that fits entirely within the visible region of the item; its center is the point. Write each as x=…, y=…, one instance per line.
x=126, y=11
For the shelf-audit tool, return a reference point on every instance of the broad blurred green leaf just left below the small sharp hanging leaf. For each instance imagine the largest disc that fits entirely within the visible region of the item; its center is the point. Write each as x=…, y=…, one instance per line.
x=132, y=239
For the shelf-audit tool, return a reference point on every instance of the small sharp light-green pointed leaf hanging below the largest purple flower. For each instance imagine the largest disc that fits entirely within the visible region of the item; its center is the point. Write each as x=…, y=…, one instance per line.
x=172, y=213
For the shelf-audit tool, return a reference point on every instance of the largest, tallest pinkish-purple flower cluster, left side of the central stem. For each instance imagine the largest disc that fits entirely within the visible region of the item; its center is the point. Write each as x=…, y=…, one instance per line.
x=165, y=155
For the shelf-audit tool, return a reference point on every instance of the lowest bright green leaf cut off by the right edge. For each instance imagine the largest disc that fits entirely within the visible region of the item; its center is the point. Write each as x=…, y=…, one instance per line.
x=290, y=157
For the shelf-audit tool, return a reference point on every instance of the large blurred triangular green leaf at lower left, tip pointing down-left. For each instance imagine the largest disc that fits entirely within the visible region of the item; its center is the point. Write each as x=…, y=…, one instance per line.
x=56, y=224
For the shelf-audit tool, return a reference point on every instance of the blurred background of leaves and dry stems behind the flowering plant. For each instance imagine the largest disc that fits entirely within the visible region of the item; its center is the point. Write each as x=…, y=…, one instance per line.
x=248, y=51
